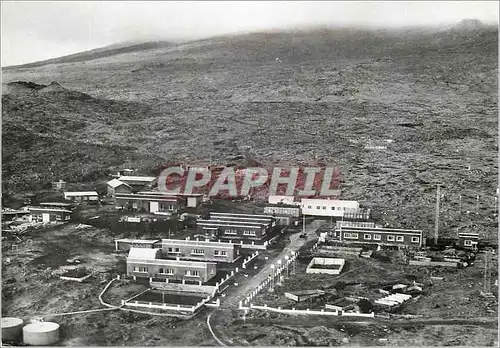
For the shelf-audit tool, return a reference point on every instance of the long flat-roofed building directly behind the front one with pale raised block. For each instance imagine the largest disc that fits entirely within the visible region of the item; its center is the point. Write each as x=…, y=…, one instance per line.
x=201, y=250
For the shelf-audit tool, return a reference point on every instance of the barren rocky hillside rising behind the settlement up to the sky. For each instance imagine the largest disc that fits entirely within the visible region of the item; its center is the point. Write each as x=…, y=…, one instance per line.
x=396, y=111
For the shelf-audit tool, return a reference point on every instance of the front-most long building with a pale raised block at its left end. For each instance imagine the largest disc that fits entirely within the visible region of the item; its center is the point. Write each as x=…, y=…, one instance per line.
x=146, y=263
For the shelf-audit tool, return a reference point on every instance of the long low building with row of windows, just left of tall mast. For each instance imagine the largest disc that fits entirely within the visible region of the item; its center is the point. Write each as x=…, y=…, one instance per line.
x=381, y=236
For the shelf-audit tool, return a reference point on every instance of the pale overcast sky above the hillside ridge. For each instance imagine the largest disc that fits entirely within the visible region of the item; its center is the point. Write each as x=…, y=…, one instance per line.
x=33, y=31
